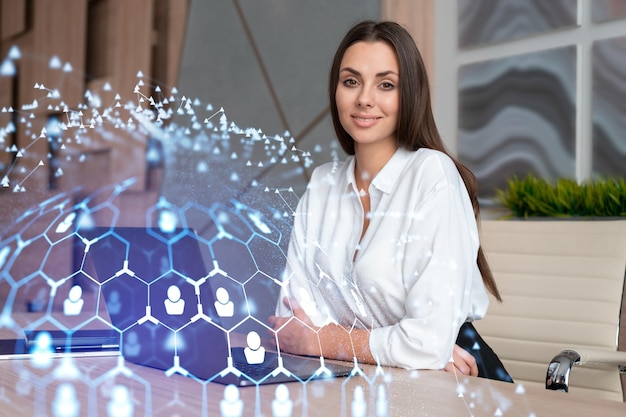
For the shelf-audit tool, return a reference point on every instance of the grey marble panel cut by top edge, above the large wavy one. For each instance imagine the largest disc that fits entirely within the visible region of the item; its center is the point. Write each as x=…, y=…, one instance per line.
x=487, y=21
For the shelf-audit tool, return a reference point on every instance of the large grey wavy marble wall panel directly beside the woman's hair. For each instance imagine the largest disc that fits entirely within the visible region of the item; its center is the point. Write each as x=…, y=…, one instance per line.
x=517, y=116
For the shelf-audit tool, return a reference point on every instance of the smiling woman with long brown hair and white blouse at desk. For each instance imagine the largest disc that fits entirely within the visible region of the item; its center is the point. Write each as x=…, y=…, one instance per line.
x=384, y=263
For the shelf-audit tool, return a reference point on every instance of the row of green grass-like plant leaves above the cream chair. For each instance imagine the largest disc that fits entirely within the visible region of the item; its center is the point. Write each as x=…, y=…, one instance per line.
x=535, y=197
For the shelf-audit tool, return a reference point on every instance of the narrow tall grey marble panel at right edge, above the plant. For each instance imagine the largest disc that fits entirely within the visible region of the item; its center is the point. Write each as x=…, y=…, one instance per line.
x=609, y=107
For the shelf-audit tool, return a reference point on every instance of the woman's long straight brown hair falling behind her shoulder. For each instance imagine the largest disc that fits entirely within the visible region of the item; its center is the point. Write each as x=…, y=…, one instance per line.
x=416, y=124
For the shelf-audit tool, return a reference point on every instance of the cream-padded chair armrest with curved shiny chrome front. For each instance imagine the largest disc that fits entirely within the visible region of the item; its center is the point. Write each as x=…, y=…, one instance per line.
x=557, y=377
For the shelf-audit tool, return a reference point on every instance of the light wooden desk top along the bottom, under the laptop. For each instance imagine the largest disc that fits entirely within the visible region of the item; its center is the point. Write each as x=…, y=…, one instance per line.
x=25, y=390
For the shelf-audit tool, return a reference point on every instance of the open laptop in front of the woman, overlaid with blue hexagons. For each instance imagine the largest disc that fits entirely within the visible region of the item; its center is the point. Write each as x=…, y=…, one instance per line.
x=196, y=304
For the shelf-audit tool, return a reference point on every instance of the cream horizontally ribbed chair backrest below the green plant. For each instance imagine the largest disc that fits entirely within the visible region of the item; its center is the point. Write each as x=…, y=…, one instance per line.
x=562, y=284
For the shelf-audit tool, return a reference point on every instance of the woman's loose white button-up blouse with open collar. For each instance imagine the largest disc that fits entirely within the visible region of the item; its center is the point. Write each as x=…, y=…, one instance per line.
x=412, y=279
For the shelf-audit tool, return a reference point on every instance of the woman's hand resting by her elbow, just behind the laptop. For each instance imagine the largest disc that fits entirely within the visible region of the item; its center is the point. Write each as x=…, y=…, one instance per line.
x=296, y=334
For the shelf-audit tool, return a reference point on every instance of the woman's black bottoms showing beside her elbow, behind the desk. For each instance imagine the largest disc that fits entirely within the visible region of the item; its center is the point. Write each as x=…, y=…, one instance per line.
x=489, y=365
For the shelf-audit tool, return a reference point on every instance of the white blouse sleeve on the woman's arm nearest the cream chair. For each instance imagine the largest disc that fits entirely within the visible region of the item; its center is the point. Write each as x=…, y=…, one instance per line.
x=440, y=279
